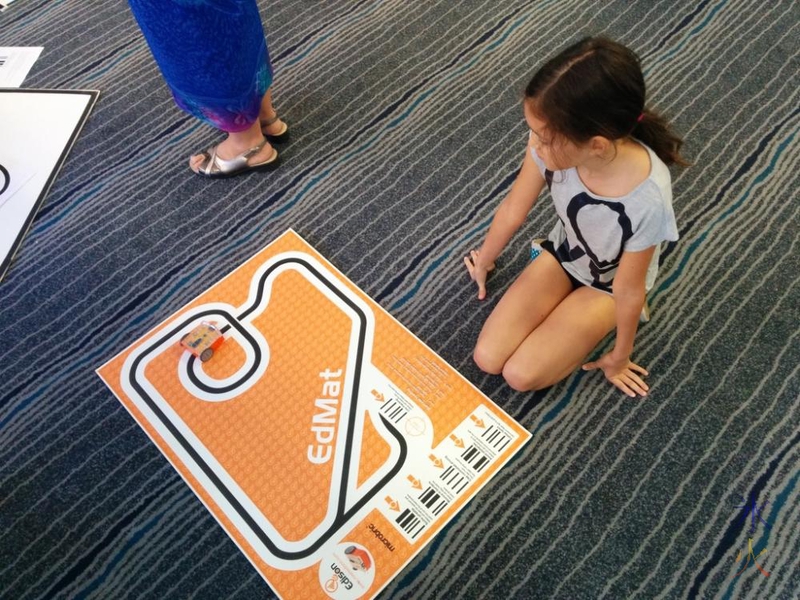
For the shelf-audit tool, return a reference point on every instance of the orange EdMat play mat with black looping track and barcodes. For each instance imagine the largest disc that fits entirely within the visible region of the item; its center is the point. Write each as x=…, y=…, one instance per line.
x=328, y=441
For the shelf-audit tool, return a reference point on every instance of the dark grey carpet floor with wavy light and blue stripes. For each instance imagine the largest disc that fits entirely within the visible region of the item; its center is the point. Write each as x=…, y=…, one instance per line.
x=407, y=132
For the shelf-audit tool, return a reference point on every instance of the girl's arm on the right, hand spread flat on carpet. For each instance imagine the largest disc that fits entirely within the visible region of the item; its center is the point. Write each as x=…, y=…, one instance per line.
x=629, y=297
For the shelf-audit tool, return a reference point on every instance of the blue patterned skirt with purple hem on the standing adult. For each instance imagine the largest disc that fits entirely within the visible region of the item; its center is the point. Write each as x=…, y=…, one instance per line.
x=213, y=56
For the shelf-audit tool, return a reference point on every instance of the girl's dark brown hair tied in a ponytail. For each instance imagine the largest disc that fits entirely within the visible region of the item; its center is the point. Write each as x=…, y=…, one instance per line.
x=596, y=87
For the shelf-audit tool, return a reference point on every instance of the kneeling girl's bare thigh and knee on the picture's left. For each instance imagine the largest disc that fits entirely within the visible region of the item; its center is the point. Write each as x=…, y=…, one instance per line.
x=536, y=292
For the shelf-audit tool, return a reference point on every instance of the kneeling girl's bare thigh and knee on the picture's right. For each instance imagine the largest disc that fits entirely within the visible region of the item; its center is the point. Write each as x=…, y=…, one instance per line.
x=562, y=342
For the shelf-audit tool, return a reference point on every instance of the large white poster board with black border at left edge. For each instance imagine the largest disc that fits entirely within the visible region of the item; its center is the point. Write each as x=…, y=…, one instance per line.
x=38, y=130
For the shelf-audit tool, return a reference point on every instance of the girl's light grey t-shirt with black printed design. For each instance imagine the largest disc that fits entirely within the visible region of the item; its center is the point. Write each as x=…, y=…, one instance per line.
x=593, y=231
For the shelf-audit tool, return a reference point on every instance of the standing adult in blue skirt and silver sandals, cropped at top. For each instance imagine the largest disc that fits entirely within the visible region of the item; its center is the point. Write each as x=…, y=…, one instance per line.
x=214, y=57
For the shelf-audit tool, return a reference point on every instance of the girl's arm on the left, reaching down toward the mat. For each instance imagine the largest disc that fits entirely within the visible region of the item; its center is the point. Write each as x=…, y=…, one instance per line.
x=509, y=217
